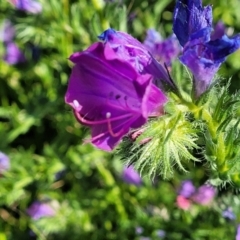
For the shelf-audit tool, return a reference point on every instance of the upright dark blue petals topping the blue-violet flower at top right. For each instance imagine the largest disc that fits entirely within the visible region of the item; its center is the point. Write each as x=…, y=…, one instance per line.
x=190, y=18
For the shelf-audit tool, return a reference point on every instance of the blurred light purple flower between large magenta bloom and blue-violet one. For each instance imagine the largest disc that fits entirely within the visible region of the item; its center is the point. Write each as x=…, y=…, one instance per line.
x=164, y=50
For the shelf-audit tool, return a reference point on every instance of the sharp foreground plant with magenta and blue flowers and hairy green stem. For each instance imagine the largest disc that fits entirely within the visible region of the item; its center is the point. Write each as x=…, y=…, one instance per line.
x=164, y=111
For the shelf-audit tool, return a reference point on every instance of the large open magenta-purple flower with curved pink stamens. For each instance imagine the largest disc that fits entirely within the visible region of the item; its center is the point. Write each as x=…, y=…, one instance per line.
x=111, y=97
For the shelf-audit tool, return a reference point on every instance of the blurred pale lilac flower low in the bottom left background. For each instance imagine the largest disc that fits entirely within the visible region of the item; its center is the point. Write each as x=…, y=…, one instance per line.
x=38, y=210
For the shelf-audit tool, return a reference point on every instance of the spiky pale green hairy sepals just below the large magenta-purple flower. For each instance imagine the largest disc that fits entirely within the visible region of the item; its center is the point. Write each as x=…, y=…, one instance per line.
x=163, y=144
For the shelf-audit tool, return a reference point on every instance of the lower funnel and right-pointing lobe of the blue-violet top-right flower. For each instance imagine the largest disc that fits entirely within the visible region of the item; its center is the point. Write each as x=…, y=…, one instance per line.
x=204, y=59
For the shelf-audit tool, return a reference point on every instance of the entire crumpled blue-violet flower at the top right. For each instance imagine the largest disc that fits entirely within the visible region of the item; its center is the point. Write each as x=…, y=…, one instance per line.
x=201, y=54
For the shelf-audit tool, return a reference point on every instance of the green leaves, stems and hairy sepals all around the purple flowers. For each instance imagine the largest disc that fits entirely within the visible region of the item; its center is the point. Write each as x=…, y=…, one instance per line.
x=50, y=163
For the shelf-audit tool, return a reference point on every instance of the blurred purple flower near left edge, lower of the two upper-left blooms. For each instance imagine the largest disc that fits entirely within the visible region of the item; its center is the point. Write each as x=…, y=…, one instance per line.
x=13, y=54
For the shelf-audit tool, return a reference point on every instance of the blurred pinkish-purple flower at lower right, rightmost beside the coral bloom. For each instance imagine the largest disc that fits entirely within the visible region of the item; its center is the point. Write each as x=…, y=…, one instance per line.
x=204, y=195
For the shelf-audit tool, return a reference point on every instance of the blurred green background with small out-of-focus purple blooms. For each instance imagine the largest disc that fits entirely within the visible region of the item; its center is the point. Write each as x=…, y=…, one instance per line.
x=52, y=185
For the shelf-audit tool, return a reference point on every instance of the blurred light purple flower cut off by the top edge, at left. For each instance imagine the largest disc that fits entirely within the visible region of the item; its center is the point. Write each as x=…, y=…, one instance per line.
x=30, y=6
